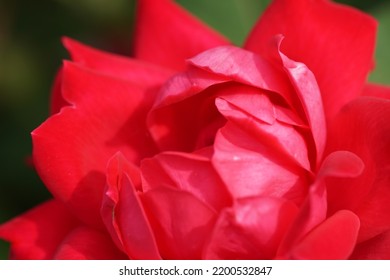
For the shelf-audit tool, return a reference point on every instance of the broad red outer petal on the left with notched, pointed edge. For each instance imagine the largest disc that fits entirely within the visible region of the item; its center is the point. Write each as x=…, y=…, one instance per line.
x=71, y=149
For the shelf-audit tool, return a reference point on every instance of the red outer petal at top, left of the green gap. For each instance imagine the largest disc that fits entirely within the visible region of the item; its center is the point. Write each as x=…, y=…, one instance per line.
x=166, y=34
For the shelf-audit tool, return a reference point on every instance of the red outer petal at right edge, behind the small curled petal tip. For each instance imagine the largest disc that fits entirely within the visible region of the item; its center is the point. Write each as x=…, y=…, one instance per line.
x=363, y=127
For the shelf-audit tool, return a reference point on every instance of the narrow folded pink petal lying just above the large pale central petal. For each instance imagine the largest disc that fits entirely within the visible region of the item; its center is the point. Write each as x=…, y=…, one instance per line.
x=253, y=111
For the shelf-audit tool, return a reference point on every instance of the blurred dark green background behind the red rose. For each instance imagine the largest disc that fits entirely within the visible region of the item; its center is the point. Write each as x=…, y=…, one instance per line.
x=31, y=52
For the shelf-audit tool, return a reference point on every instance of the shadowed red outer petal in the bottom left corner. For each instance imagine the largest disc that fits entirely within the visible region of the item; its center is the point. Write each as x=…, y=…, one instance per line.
x=36, y=234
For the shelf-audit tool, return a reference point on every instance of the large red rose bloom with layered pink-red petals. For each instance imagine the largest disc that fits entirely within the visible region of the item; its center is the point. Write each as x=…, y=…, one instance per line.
x=198, y=149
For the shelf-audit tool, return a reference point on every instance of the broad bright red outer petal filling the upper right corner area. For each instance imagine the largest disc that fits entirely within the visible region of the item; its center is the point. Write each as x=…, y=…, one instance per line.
x=336, y=42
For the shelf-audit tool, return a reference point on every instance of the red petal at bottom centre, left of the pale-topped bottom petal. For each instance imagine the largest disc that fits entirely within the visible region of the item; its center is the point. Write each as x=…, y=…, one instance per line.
x=180, y=221
